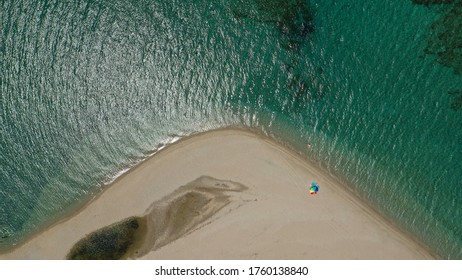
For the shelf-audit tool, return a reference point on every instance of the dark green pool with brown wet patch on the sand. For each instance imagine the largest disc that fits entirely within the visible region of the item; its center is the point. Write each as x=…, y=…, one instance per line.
x=168, y=219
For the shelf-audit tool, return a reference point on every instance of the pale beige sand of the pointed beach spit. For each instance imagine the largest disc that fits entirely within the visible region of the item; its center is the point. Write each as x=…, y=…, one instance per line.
x=270, y=215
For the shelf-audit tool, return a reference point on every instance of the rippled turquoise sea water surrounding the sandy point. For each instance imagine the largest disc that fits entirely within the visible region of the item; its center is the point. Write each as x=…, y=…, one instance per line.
x=90, y=88
